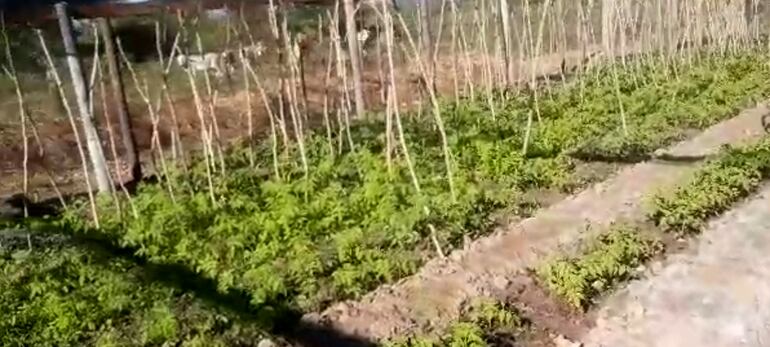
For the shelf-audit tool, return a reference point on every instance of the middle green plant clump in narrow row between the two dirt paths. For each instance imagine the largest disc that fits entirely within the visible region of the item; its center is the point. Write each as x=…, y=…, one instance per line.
x=608, y=260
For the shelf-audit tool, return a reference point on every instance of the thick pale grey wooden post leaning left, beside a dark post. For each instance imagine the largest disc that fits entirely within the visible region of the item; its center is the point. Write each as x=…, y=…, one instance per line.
x=93, y=143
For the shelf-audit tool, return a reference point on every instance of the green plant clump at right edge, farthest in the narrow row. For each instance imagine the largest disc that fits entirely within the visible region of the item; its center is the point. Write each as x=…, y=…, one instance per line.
x=722, y=182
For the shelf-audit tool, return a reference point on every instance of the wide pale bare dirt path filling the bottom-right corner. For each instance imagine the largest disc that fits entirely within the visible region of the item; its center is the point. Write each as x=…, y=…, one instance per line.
x=715, y=294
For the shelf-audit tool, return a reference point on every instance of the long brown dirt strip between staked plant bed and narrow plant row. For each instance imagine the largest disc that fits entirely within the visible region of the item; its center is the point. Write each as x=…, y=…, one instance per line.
x=437, y=293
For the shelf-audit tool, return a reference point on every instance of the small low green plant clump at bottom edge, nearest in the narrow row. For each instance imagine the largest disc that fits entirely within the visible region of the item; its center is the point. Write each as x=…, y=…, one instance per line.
x=485, y=323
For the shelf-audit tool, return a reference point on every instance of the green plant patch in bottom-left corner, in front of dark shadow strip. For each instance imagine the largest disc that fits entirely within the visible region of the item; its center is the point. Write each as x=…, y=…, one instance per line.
x=68, y=295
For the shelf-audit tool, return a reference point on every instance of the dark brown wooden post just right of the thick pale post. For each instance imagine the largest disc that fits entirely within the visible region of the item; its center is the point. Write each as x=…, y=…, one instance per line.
x=119, y=98
